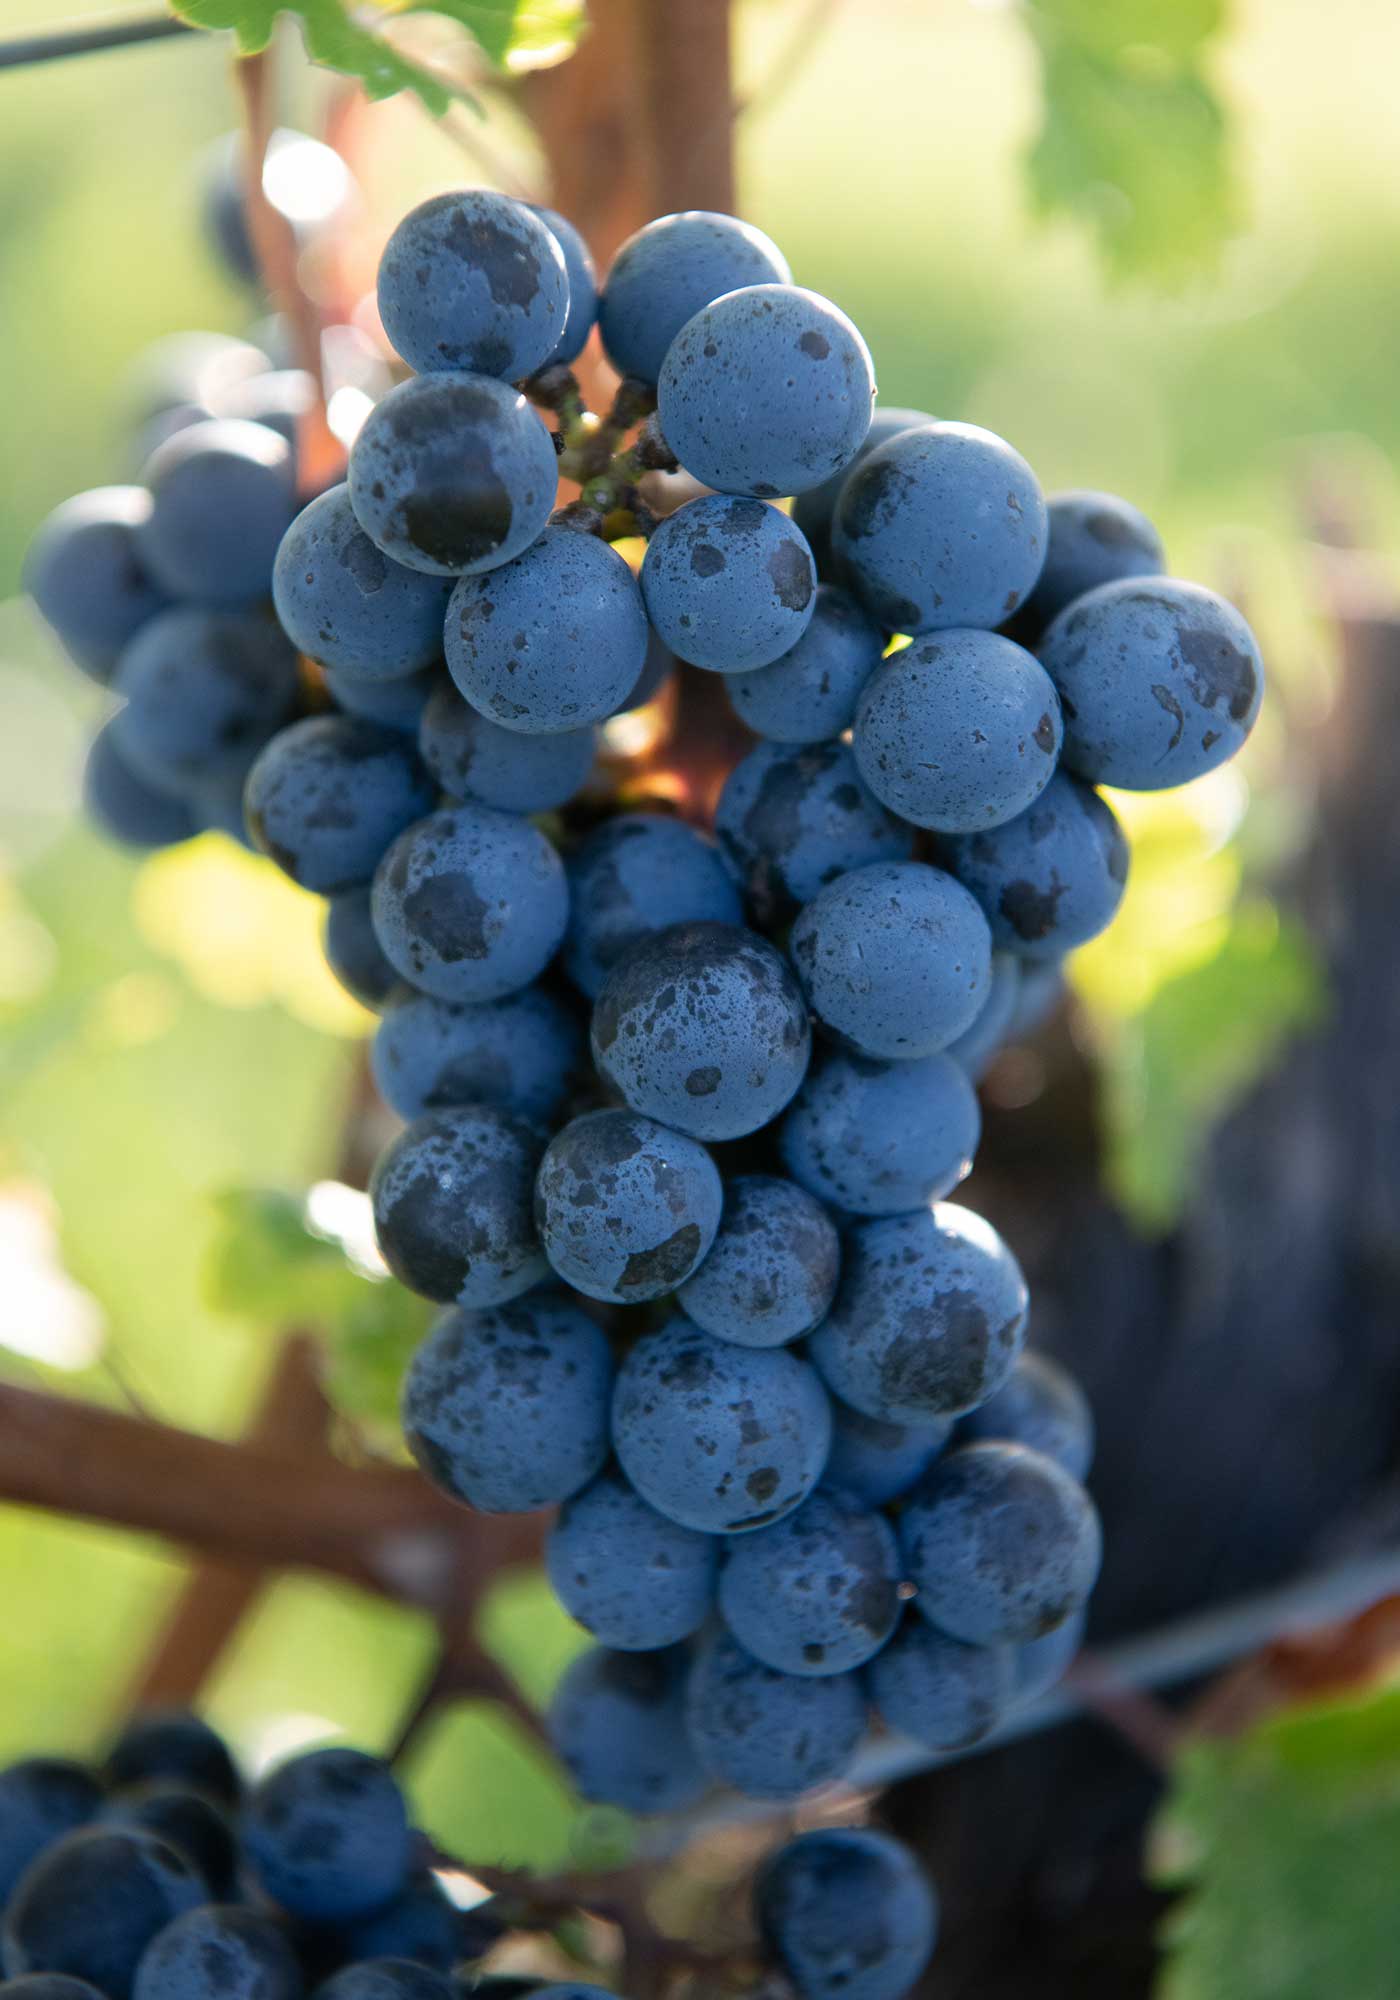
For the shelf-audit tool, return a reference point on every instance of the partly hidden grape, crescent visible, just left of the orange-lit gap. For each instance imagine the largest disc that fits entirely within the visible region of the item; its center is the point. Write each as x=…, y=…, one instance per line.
x=477, y=759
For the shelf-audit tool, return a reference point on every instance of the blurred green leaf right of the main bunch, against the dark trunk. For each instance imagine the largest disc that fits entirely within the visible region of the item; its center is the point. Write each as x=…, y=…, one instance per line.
x=1175, y=1069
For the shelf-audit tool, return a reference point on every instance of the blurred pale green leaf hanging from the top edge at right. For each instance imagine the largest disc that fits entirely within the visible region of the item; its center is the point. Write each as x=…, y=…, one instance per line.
x=1135, y=137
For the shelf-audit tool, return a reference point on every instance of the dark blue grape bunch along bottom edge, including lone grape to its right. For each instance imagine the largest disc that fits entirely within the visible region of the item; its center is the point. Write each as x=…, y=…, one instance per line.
x=159, y=1875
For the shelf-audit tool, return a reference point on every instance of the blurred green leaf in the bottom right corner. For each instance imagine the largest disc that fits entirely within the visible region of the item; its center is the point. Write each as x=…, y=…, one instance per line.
x=1287, y=1845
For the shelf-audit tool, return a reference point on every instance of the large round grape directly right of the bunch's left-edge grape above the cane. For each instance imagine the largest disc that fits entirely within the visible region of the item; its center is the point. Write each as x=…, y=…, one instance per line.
x=717, y=1437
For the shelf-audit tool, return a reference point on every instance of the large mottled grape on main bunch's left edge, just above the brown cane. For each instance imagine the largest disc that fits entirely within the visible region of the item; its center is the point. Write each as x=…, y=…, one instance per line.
x=509, y=1409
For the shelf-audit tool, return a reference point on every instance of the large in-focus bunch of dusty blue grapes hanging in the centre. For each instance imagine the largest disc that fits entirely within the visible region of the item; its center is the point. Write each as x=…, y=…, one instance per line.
x=685, y=1105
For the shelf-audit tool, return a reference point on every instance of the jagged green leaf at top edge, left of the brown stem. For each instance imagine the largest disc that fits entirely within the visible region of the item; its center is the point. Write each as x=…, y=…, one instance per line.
x=513, y=35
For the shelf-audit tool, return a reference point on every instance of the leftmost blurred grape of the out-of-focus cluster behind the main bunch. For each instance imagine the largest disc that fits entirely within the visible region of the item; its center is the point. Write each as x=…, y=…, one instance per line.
x=87, y=577
